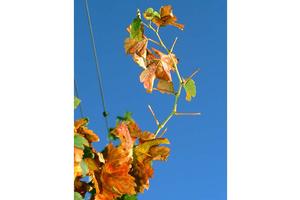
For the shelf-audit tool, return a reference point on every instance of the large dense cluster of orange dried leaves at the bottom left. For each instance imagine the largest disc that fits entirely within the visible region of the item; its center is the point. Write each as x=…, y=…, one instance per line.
x=119, y=171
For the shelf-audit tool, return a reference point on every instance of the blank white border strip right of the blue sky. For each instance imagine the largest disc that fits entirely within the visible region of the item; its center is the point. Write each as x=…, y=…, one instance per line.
x=263, y=100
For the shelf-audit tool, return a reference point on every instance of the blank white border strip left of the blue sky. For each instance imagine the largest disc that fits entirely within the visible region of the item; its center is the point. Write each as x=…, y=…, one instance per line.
x=36, y=109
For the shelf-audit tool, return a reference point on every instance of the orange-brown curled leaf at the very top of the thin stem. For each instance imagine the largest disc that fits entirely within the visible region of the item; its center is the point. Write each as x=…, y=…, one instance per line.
x=166, y=18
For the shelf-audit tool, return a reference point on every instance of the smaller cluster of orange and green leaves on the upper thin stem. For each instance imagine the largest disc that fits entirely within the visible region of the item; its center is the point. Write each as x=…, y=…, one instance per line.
x=155, y=63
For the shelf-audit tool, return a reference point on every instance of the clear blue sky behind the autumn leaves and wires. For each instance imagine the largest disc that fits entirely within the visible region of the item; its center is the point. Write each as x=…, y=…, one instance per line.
x=196, y=168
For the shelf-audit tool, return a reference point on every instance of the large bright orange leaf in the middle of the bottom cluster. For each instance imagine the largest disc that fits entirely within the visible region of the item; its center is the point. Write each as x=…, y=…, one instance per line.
x=114, y=179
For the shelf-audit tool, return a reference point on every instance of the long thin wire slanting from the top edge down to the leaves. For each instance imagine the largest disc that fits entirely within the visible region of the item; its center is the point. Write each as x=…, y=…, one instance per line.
x=99, y=77
